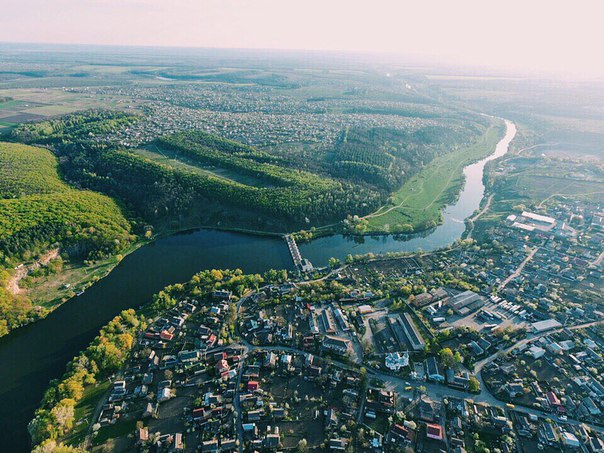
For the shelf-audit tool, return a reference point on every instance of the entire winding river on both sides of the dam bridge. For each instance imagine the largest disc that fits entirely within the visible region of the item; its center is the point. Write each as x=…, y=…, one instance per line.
x=35, y=354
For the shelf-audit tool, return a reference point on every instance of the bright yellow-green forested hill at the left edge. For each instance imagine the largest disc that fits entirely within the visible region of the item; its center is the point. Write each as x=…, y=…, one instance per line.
x=38, y=211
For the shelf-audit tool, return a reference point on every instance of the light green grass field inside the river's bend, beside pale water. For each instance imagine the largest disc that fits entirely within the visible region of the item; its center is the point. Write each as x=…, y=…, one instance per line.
x=418, y=204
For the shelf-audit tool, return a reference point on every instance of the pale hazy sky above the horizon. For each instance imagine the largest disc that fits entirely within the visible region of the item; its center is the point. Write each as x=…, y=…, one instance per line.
x=545, y=35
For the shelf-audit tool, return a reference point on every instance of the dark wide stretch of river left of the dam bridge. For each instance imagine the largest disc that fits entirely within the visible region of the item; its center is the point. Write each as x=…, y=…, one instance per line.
x=37, y=353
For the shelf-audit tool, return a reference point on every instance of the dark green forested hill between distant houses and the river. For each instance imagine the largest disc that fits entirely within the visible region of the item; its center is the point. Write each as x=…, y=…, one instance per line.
x=226, y=182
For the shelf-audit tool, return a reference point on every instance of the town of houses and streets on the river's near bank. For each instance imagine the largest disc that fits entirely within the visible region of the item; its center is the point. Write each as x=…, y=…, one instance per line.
x=464, y=349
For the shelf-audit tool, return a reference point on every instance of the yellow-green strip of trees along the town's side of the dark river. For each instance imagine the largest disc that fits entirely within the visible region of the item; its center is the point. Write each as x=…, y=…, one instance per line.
x=71, y=398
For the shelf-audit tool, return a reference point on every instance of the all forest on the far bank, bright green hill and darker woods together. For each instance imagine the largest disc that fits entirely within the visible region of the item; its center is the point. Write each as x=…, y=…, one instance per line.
x=214, y=177
